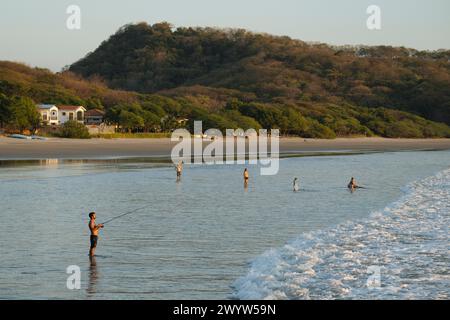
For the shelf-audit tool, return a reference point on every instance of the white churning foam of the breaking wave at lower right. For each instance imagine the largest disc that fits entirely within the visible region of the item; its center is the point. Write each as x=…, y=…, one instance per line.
x=407, y=243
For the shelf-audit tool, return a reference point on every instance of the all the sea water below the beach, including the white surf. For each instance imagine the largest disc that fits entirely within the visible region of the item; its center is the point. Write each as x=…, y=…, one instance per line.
x=209, y=237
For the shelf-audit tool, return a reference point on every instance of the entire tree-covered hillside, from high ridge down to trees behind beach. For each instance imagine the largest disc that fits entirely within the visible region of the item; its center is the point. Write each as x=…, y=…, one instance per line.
x=148, y=78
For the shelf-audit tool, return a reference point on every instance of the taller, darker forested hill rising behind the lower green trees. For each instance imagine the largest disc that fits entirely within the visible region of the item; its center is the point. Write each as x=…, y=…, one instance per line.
x=269, y=69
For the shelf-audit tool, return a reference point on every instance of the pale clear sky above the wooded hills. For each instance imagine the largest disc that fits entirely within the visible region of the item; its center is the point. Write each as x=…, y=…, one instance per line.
x=35, y=32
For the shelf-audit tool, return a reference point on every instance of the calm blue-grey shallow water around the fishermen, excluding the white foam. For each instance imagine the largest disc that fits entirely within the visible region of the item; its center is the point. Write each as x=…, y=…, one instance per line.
x=195, y=236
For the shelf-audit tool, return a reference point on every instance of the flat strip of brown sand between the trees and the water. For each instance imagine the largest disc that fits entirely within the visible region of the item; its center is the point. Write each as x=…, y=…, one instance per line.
x=53, y=148
